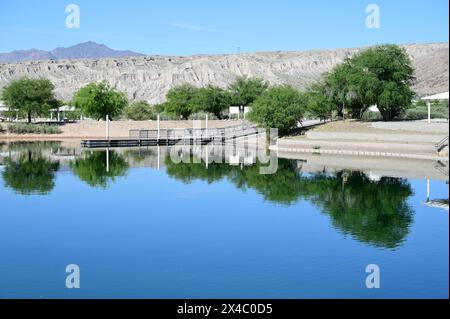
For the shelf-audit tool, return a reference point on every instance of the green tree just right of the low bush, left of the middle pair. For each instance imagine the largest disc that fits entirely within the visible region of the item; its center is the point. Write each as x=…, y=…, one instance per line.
x=179, y=100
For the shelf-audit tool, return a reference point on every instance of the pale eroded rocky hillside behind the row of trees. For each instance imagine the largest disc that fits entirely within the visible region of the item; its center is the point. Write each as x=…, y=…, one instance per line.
x=150, y=77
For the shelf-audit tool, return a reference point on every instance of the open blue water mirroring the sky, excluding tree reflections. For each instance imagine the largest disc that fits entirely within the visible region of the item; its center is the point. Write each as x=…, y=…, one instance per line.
x=150, y=235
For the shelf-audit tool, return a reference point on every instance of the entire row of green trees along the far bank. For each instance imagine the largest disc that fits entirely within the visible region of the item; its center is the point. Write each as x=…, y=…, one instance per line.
x=382, y=76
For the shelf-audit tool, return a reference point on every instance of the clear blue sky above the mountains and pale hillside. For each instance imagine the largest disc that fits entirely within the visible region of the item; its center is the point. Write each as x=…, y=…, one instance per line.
x=181, y=27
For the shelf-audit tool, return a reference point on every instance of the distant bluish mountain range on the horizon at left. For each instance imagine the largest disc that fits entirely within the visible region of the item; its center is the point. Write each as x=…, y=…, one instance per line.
x=87, y=50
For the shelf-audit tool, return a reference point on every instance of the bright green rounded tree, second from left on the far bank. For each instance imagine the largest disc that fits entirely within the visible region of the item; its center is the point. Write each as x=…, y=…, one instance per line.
x=98, y=100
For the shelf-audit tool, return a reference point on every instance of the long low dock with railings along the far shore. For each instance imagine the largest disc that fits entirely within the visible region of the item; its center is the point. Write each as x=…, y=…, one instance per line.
x=169, y=137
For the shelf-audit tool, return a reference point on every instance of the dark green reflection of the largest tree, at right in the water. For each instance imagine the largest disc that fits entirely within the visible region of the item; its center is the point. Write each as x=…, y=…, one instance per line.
x=374, y=212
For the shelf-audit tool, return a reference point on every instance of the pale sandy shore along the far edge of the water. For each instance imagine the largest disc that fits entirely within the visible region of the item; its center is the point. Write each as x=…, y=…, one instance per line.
x=414, y=139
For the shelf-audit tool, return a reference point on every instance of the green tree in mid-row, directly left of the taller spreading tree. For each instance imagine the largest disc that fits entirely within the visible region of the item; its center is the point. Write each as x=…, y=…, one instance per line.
x=211, y=99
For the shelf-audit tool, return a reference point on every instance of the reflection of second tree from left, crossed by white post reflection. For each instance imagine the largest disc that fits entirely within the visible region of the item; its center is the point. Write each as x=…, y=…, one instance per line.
x=92, y=168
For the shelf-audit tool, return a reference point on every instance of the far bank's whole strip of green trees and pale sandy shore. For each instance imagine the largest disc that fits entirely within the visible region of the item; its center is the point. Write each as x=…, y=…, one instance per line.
x=380, y=76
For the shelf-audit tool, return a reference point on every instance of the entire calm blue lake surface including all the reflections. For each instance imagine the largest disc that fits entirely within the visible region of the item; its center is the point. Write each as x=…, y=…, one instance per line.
x=140, y=226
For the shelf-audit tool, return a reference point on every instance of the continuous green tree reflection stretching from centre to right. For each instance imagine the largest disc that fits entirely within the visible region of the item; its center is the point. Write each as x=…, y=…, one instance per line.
x=374, y=212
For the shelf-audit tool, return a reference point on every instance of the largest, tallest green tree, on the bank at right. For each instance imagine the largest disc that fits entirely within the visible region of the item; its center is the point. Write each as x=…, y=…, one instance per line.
x=382, y=75
